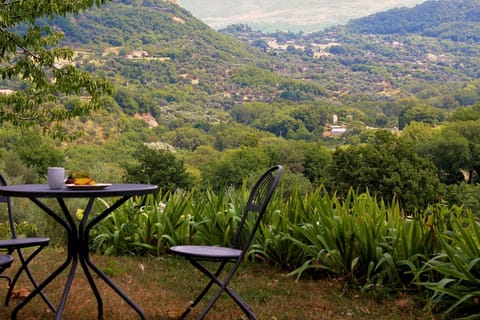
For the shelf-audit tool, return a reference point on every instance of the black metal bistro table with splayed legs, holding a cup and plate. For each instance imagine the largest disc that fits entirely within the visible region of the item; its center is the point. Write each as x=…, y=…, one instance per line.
x=78, y=233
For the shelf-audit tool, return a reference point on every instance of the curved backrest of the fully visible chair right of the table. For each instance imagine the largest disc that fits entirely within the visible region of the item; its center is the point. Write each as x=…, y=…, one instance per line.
x=257, y=203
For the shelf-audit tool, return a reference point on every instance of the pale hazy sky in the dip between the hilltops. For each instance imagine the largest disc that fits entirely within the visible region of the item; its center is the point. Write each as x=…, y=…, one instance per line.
x=287, y=15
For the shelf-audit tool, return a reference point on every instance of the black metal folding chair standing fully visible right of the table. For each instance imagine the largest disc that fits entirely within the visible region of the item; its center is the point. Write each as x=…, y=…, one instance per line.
x=196, y=254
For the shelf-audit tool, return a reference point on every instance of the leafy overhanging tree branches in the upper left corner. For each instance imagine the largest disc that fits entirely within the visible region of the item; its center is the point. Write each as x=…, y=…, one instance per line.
x=40, y=71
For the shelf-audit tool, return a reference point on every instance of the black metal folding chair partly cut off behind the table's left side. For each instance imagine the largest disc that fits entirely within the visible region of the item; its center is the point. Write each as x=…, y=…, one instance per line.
x=15, y=244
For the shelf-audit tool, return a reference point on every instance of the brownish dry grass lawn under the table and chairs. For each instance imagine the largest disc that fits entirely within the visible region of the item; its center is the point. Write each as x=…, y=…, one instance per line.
x=164, y=286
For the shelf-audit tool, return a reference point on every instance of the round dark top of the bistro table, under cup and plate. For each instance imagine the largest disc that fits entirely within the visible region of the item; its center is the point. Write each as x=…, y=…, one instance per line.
x=68, y=191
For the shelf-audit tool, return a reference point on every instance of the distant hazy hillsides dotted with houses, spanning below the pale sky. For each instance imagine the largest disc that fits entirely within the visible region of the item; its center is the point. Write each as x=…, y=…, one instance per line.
x=167, y=63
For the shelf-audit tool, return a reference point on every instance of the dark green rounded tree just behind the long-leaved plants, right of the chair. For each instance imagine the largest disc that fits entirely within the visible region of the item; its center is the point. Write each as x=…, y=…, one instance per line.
x=386, y=166
